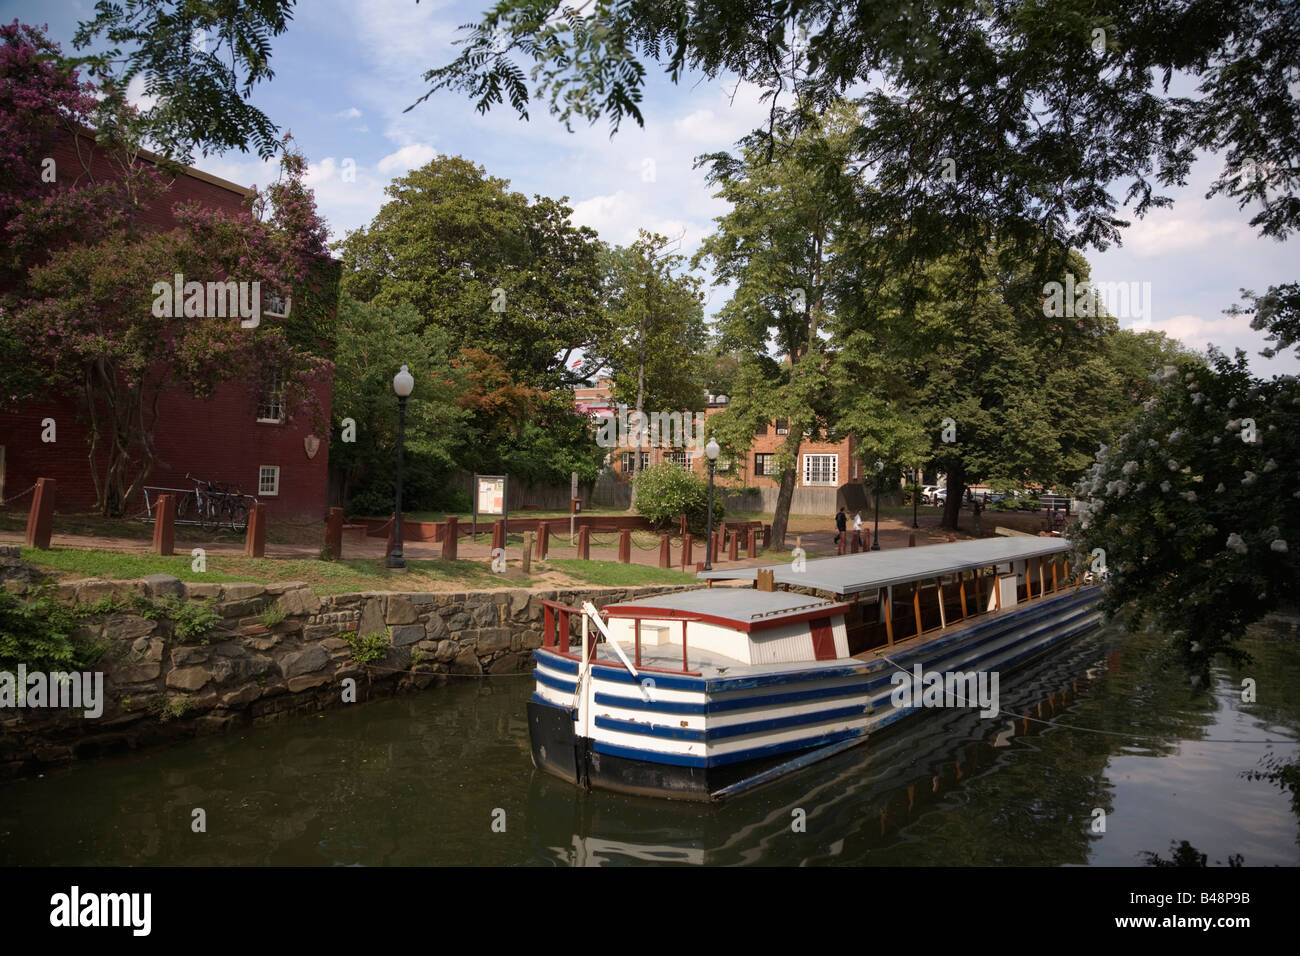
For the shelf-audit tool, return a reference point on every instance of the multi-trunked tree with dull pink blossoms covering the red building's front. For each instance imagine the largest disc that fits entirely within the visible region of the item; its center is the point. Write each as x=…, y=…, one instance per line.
x=93, y=326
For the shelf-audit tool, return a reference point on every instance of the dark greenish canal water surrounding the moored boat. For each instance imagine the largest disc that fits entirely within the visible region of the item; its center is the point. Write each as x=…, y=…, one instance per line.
x=1112, y=758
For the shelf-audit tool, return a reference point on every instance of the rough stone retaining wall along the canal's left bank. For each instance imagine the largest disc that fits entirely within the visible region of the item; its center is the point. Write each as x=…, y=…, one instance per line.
x=161, y=687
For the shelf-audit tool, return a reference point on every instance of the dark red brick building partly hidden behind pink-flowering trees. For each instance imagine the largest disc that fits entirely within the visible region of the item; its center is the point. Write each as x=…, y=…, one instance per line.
x=240, y=438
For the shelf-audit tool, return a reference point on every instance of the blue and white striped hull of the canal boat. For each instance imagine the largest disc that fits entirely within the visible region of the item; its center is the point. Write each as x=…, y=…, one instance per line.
x=714, y=737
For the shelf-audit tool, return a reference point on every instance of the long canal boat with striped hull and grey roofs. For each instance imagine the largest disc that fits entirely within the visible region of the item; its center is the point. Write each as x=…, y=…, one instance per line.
x=708, y=694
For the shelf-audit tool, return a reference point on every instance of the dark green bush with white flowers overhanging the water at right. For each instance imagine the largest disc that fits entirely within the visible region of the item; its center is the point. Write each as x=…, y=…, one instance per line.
x=1199, y=544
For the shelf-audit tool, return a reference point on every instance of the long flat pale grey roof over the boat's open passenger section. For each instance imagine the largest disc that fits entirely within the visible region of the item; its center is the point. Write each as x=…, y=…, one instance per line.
x=851, y=574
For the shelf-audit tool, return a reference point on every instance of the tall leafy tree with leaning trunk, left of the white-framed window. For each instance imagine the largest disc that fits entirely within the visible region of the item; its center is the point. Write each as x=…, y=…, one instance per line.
x=781, y=245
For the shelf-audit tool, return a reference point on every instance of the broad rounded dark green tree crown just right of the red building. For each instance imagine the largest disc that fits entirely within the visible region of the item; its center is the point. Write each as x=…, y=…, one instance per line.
x=493, y=270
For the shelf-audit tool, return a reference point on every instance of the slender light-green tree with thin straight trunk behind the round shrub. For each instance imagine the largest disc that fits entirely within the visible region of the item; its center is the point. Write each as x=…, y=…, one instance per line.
x=658, y=331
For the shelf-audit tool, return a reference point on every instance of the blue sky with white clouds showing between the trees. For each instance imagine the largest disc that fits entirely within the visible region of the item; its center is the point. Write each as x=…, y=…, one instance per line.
x=348, y=72
